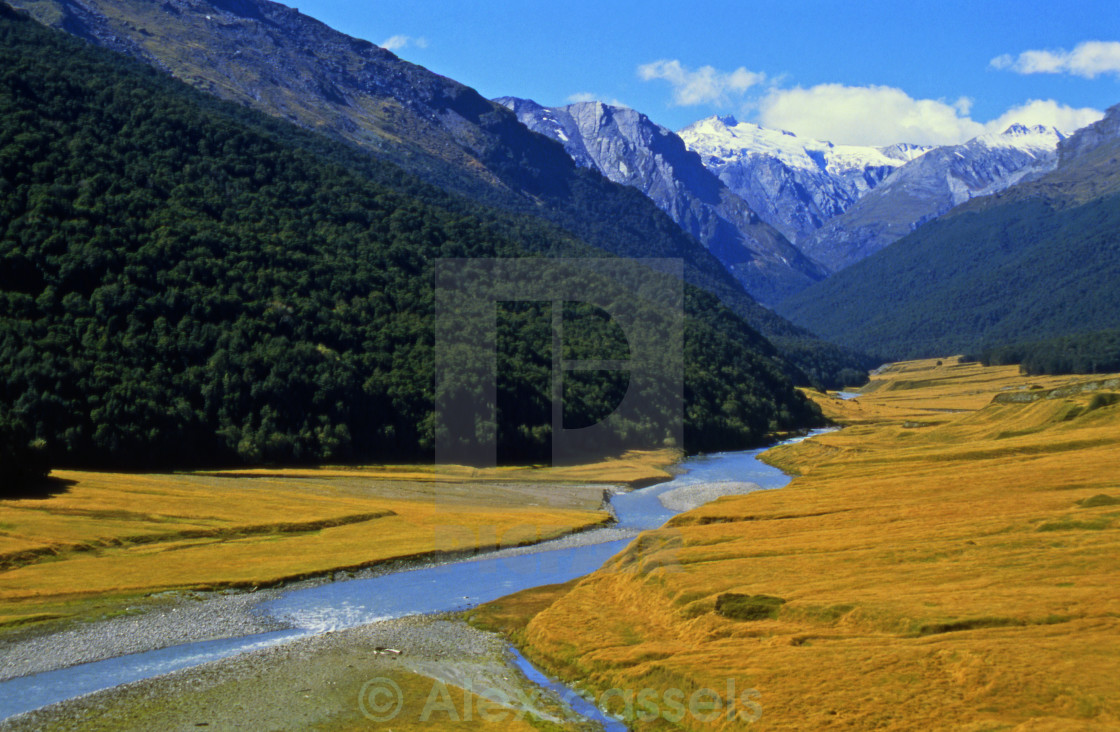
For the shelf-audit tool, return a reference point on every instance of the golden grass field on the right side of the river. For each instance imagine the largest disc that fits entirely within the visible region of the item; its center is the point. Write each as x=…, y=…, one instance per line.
x=947, y=561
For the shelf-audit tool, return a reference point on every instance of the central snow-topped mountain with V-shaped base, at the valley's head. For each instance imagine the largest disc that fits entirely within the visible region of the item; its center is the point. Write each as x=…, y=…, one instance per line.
x=795, y=184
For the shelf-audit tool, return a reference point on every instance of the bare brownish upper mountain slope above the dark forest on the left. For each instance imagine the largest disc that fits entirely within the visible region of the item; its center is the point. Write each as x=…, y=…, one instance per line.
x=275, y=60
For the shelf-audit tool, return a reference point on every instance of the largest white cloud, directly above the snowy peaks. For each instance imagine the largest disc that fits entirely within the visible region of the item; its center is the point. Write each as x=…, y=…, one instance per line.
x=874, y=116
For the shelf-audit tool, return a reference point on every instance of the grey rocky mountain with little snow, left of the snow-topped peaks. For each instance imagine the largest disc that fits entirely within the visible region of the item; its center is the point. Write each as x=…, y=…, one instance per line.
x=628, y=148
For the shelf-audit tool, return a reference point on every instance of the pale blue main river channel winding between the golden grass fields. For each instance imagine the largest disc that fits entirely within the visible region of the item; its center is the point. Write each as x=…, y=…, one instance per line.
x=434, y=589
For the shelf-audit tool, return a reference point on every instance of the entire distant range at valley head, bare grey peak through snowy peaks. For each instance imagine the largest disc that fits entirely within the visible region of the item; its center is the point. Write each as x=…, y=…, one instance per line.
x=837, y=204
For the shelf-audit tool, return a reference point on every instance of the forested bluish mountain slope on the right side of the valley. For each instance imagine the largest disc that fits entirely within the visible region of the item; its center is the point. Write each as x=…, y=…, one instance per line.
x=1037, y=261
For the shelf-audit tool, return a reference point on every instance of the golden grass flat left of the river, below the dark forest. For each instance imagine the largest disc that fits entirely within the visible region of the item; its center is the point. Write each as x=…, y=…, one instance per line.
x=110, y=540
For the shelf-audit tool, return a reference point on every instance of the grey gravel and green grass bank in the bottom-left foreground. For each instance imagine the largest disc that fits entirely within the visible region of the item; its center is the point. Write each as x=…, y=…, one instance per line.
x=332, y=680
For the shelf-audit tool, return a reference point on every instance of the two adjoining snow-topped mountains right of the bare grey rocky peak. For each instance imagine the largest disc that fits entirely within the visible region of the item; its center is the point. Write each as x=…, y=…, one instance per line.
x=839, y=204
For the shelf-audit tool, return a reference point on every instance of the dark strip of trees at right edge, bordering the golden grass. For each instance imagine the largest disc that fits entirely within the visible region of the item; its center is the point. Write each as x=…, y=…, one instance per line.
x=1091, y=353
